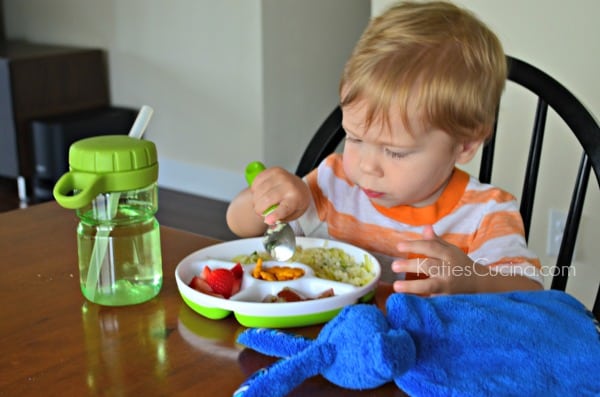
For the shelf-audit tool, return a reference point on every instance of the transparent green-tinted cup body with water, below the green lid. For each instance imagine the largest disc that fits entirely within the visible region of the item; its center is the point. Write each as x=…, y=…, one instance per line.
x=130, y=262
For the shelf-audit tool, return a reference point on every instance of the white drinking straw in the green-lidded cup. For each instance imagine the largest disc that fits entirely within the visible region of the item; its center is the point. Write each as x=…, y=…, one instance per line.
x=111, y=206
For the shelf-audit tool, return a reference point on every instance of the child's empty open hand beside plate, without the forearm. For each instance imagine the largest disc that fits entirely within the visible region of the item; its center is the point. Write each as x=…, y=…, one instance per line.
x=448, y=268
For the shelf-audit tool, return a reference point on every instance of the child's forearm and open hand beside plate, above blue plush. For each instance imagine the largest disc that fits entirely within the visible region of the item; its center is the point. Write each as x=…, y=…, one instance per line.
x=450, y=270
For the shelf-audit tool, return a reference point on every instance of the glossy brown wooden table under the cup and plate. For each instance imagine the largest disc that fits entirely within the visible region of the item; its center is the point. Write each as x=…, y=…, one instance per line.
x=54, y=342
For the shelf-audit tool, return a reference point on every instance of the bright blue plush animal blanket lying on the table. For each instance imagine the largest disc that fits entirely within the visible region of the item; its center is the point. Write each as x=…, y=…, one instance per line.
x=519, y=344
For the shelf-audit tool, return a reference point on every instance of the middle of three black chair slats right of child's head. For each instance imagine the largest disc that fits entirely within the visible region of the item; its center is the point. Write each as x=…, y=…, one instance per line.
x=533, y=164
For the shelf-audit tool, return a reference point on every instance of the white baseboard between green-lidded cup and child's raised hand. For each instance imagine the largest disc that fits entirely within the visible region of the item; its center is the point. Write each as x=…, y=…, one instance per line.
x=203, y=181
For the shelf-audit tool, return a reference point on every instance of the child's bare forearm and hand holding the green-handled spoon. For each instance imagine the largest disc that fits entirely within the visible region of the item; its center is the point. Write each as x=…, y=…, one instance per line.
x=272, y=186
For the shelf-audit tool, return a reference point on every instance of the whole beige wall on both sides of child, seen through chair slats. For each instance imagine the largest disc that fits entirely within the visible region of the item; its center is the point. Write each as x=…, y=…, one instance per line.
x=238, y=80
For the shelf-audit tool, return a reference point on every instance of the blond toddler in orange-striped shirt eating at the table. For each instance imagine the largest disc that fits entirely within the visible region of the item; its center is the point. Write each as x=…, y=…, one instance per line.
x=418, y=96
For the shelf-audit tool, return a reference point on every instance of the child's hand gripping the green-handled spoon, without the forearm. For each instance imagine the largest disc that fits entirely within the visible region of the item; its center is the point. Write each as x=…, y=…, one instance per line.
x=277, y=186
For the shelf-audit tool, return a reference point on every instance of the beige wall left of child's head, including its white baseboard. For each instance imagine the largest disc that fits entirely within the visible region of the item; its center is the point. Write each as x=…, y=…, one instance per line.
x=230, y=81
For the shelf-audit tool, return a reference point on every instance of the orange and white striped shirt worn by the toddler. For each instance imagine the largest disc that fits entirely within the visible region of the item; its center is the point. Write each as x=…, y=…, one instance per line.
x=482, y=220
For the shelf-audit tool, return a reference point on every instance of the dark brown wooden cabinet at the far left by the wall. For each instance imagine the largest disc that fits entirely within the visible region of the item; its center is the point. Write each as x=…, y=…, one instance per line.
x=39, y=81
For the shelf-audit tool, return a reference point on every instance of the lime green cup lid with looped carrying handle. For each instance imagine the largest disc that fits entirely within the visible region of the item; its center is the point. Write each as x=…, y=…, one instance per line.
x=104, y=164
